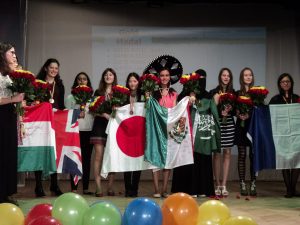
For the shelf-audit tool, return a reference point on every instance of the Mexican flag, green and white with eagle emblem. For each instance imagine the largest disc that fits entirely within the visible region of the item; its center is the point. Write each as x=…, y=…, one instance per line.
x=168, y=135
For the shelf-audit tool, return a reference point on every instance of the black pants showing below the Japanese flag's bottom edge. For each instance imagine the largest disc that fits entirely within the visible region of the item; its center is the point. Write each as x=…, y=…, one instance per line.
x=132, y=180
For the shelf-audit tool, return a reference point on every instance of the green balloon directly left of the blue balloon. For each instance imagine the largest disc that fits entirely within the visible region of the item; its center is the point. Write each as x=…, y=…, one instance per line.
x=102, y=213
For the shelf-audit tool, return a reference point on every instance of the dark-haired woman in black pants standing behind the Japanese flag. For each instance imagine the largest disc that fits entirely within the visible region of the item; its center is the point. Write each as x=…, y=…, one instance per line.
x=132, y=178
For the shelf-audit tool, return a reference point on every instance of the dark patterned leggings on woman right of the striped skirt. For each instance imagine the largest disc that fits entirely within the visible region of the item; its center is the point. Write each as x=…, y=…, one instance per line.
x=242, y=153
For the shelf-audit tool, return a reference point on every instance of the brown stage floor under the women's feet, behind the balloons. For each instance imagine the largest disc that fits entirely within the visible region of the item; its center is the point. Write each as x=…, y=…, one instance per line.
x=269, y=208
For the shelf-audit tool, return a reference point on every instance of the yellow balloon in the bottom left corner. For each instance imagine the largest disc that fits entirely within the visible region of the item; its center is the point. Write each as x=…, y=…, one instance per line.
x=11, y=214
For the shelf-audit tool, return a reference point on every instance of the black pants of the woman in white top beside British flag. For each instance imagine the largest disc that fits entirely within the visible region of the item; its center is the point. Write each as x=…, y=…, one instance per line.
x=86, y=153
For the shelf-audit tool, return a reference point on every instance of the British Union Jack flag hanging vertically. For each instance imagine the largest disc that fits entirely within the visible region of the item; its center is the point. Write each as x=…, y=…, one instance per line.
x=68, y=143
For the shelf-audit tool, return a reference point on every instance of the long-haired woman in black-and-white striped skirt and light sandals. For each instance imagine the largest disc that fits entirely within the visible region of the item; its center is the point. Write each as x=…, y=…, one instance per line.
x=227, y=131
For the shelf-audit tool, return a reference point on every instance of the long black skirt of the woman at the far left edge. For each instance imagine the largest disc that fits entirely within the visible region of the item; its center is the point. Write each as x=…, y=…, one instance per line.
x=8, y=151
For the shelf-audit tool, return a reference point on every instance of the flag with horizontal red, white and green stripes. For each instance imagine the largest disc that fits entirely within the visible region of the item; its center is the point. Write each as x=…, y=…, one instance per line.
x=37, y=151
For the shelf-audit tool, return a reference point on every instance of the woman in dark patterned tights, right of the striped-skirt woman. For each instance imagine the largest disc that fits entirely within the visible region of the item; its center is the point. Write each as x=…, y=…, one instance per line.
x=241, y=140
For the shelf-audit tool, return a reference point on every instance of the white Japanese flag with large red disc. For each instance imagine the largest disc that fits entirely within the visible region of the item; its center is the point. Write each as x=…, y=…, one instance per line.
x=125, y=143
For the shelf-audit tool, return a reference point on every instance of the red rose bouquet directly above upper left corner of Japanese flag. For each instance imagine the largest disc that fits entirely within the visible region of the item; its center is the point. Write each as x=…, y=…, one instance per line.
x=119, y=97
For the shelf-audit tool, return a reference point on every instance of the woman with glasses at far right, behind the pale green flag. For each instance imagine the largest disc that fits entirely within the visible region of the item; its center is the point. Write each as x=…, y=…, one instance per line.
x=286, y=95
